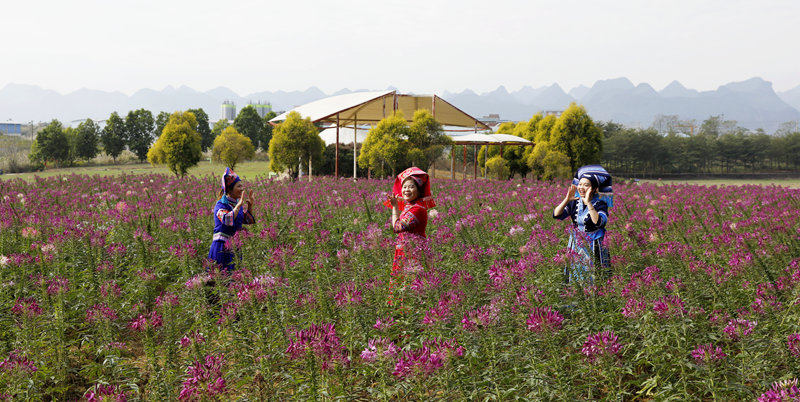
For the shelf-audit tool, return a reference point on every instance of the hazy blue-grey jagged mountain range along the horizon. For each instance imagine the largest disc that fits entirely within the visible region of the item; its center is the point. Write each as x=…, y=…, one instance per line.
x=752, y=103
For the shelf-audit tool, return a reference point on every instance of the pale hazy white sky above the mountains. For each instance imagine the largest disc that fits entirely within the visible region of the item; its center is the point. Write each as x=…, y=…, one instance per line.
x=417, y=46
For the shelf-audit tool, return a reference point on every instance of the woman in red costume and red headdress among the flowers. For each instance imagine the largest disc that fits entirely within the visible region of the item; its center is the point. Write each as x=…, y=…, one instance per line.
x=410, y=199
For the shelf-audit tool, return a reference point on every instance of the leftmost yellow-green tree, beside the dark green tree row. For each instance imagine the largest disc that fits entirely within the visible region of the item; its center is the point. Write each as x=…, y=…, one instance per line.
x=179, y=146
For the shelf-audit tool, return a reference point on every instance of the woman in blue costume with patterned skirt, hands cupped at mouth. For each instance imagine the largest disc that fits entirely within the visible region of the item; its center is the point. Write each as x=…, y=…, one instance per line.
x=589, y=214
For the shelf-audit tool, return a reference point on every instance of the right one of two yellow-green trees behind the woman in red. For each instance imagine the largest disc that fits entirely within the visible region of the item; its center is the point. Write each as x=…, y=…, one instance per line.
x=426, y=138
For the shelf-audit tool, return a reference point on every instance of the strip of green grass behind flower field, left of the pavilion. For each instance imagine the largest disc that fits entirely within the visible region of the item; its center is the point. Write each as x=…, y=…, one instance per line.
x=246, y=170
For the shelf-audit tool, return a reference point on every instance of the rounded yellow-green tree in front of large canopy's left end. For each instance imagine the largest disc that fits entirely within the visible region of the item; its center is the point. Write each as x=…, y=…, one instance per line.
x=295, y=141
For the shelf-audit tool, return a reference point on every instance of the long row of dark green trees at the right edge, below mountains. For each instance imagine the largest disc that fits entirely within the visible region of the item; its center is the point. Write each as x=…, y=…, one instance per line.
x=718, y=146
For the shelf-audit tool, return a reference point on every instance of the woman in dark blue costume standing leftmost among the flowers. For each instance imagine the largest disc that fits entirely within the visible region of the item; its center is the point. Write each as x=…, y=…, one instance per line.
x=230, y=213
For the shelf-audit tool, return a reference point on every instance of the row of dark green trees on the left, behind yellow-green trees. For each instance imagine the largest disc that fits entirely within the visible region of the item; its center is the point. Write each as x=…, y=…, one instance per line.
x=136, y=132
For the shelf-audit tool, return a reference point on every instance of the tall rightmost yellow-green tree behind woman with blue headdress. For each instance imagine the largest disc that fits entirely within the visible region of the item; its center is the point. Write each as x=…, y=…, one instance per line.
x=576, y=136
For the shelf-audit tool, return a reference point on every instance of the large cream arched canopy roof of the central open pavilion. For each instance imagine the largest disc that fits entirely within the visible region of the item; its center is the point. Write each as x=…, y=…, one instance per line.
x=372, y=107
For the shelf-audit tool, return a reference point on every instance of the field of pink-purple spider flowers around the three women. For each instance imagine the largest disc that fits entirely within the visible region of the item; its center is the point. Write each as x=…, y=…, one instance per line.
x=105, y=294
